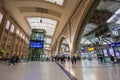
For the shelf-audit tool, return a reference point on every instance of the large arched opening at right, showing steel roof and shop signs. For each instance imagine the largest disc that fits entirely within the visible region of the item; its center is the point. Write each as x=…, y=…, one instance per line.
x=101, y=33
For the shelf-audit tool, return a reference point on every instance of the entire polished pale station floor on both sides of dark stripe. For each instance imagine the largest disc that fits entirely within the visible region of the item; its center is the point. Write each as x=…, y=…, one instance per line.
x=84, y=70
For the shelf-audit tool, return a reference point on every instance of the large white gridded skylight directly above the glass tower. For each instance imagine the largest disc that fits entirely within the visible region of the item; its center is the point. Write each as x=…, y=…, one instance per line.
x=47, y=24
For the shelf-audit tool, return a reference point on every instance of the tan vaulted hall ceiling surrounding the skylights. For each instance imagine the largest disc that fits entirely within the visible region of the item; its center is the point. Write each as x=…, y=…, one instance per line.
x=22, y=9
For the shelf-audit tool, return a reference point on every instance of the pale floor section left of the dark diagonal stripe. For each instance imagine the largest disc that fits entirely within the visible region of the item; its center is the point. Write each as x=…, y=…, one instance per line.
x=32, y=71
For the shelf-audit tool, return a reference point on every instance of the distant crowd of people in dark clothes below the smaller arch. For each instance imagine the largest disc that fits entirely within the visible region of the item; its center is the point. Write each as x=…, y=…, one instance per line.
x=64, y=59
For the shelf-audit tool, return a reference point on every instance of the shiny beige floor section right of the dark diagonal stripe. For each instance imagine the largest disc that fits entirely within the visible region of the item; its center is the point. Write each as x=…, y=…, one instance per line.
x=92, y=70
